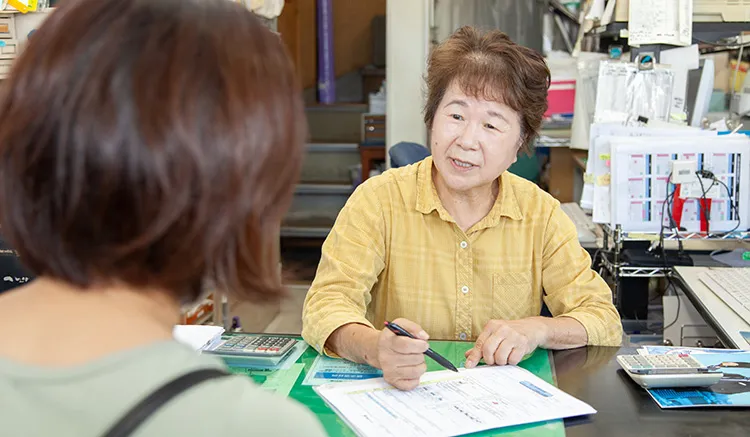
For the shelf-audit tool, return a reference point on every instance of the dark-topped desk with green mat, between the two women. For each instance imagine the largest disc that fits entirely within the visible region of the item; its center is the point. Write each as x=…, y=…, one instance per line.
x=590, y=374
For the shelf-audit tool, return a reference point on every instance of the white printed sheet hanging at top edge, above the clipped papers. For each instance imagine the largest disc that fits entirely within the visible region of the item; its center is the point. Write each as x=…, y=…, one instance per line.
x=660, y=22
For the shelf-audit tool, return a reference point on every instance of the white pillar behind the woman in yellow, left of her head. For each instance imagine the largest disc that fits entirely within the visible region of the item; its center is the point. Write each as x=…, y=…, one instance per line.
x=407, y=45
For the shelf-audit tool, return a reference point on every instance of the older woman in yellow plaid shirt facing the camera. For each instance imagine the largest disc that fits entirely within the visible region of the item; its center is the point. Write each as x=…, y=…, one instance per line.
x=456, y=246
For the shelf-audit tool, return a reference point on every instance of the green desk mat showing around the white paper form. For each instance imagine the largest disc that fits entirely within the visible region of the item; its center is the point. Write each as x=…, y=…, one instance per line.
x=538, y=363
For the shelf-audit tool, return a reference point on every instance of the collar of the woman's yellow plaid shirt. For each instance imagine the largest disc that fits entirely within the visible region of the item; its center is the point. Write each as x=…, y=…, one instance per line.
x=506, y=204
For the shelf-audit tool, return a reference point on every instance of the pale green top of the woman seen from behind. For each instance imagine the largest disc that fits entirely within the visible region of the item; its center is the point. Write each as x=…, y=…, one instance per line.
x=86, y=400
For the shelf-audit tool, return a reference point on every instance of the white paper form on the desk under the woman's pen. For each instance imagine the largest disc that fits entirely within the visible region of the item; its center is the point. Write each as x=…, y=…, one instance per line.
x=450, y=404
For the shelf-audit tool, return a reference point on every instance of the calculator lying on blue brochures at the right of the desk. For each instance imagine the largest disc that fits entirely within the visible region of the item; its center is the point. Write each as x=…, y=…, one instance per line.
x=661, y=371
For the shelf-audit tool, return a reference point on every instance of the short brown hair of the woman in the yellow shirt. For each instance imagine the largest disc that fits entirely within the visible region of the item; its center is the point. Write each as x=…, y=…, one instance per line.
x=490, y=65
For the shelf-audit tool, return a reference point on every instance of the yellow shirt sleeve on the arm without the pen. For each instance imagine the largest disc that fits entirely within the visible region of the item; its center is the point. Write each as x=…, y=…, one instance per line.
x=572, y=289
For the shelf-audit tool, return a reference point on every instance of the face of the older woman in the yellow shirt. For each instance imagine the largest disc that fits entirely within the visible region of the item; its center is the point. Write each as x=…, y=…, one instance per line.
x=473, y=140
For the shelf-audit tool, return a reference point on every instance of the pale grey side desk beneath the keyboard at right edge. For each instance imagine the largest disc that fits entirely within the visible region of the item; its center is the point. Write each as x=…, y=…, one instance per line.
x=714, y=311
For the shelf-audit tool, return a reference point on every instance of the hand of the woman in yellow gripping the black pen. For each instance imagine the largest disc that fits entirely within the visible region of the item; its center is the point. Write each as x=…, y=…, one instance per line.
x=402, y=358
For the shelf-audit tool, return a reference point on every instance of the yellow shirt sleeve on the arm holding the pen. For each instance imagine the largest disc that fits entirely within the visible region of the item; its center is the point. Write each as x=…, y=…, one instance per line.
x=352, y=258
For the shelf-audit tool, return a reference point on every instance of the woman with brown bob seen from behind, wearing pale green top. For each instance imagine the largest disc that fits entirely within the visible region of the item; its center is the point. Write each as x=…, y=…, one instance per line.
x=145, y=147
